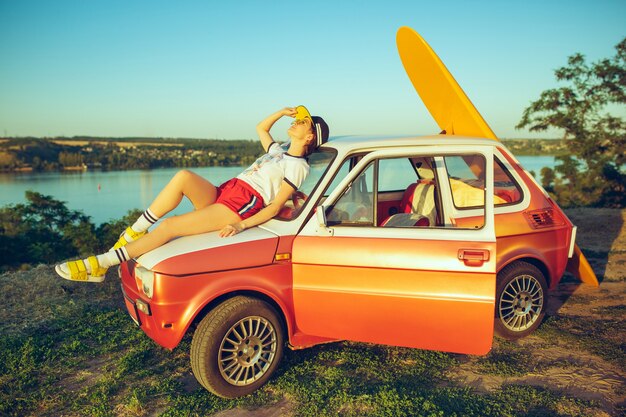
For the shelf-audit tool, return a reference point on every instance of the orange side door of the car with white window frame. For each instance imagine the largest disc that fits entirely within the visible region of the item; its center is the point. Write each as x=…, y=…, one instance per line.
x=423, y=287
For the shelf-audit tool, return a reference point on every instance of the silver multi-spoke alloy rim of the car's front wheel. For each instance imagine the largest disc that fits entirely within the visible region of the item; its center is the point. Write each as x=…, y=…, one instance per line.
x=247, y=350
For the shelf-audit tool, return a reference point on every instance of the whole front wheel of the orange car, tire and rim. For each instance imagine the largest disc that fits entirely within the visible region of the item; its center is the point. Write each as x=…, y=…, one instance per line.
x=237, y=346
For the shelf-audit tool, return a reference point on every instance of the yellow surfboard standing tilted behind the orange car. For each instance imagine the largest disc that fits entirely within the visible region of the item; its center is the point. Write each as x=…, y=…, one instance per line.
x=454, y=112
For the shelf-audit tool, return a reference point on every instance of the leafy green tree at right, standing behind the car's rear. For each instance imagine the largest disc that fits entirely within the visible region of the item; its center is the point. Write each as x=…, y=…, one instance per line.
x=594, y=137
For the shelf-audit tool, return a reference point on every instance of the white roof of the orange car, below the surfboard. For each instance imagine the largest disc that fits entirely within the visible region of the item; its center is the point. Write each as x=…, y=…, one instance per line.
x=347, y=144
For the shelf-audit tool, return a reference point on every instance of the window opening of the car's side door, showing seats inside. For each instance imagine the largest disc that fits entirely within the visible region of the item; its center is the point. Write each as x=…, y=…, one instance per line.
x=404, y=192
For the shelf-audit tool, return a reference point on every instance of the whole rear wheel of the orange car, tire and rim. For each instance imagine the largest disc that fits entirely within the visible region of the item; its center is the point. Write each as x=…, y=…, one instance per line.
x=521, y=300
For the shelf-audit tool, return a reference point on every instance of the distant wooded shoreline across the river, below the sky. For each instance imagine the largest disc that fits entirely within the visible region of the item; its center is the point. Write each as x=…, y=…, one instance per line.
x=81, y=153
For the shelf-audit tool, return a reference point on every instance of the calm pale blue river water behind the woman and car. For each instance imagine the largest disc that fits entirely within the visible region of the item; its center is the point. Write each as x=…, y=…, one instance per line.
x=109, y=195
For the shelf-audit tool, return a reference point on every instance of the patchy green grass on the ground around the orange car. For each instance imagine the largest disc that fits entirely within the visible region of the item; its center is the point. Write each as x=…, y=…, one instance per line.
x=79, y=354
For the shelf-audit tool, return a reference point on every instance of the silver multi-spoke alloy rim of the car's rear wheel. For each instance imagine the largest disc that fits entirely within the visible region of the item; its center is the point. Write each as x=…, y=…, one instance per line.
x=521, y=303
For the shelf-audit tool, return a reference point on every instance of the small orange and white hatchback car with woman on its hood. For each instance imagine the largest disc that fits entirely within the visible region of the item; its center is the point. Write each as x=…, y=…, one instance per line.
x=424, y=242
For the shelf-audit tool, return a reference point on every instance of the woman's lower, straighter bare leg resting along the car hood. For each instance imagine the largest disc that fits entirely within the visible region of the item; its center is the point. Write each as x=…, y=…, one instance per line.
x=207, y=219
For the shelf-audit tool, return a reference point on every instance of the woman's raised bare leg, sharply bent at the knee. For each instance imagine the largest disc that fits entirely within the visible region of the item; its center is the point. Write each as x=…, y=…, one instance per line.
x=198, y=190
